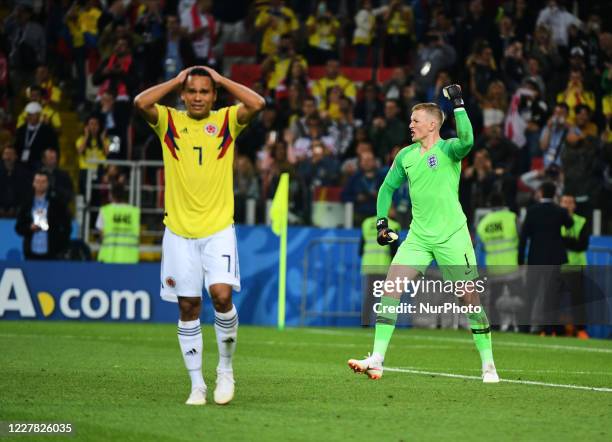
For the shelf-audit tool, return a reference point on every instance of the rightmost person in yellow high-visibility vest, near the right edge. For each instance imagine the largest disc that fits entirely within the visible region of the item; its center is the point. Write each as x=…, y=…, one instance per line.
x=576, y=240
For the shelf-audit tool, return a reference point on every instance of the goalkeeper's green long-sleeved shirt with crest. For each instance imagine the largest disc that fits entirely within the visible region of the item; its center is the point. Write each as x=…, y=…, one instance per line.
x=433, y=183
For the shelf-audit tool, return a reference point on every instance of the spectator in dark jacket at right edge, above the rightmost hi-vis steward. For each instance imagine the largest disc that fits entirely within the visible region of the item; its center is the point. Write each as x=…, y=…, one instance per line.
x=581, y=162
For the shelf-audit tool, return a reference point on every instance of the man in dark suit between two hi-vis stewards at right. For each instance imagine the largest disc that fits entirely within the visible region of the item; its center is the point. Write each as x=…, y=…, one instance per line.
x=542, y=227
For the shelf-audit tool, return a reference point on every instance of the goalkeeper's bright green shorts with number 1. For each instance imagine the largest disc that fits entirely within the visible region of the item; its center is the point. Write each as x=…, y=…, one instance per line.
x=455, y=256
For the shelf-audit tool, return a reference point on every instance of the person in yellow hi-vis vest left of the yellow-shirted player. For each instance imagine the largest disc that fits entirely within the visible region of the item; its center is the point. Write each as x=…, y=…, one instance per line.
x=119, y=223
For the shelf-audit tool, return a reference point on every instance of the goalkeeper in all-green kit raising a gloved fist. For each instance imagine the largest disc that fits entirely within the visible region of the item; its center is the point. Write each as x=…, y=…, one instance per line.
x=432, y=167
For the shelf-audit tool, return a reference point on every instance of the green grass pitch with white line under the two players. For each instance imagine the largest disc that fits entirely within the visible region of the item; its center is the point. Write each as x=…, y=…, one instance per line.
x=126, y=382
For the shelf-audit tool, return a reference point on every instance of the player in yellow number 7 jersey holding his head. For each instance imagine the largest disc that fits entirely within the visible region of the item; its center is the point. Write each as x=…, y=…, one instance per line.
x=199, y=244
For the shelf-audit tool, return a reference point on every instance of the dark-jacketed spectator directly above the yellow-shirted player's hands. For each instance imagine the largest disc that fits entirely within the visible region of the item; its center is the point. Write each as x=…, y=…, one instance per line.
x=178, y=50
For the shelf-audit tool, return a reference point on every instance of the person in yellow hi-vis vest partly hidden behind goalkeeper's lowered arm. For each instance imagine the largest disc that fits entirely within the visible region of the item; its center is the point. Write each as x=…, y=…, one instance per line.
x=375, y=261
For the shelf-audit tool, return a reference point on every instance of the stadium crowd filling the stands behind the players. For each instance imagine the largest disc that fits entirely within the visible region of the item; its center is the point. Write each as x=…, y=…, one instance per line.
x=537, y=79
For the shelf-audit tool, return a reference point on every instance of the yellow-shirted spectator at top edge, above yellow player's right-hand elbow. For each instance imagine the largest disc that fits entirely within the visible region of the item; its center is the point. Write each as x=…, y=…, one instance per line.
x=273, y=21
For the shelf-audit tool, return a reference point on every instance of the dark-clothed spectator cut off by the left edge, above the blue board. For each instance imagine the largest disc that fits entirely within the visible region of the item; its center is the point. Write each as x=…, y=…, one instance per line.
x=14, y=182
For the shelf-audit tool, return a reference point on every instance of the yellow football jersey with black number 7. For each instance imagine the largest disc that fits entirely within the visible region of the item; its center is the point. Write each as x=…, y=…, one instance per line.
x=198, y=164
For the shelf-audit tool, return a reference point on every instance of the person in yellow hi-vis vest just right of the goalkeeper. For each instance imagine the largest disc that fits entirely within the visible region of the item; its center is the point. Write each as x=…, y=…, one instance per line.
x=498, y=234
